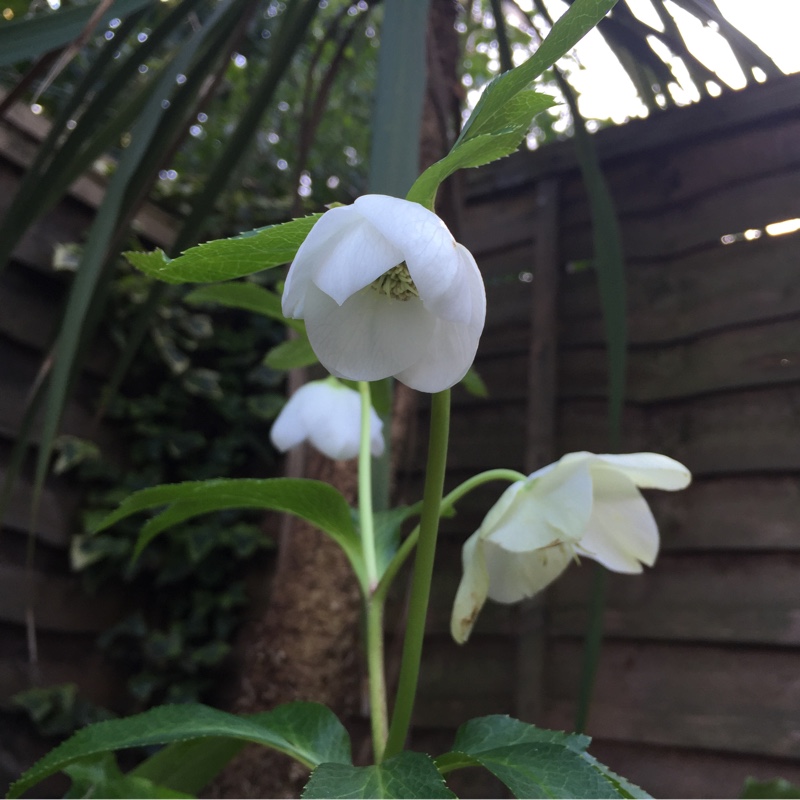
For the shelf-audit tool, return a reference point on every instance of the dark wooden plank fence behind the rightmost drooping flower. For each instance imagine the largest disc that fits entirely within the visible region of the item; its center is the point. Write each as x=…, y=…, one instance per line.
x=699, y=683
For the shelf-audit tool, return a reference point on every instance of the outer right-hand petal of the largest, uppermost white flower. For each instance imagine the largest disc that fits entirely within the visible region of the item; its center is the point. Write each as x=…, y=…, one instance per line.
x=452, y=345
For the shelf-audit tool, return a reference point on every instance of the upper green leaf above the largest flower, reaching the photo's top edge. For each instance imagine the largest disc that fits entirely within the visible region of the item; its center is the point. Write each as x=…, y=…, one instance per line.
x=489, y=113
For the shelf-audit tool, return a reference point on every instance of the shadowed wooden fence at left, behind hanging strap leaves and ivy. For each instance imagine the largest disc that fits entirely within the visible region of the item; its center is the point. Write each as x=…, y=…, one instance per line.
x=48, y=597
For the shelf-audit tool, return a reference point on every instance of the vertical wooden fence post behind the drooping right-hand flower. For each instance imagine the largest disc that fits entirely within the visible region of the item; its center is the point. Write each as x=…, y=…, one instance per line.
x=540, y=427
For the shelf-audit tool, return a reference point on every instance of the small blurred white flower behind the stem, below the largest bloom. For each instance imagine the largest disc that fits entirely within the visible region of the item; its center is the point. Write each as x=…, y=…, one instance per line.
x=327, y=414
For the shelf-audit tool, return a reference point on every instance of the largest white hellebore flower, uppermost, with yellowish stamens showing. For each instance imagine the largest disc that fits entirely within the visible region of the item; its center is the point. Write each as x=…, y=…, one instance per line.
x=385, y=290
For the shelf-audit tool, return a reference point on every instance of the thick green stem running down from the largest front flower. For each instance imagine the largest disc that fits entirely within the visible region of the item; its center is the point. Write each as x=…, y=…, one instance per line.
x=423, y=572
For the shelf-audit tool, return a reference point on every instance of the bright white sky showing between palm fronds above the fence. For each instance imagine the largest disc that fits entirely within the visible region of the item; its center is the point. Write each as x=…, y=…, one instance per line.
x=606, y=91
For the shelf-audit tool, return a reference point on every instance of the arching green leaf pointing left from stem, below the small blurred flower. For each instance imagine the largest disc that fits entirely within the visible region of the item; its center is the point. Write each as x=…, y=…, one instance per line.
x=314, y=501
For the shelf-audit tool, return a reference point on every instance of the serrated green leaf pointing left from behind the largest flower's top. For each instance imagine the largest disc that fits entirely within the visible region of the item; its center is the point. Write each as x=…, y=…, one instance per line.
x=224, y=259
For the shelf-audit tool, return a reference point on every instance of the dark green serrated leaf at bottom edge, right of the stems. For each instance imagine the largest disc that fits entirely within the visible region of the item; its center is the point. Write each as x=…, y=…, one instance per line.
x=533, y=762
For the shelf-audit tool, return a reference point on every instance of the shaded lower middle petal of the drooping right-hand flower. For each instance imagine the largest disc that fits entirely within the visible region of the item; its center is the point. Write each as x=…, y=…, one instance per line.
x=514, y=576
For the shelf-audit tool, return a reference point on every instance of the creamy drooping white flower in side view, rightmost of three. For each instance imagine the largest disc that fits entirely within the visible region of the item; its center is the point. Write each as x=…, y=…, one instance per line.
x=584, y=504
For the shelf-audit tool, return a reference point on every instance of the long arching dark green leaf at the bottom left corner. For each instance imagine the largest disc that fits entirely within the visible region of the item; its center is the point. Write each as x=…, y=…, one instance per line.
x=308, y=732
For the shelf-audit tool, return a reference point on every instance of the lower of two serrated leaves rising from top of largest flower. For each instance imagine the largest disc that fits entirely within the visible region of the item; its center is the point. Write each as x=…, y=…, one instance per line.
x=513, y=123
